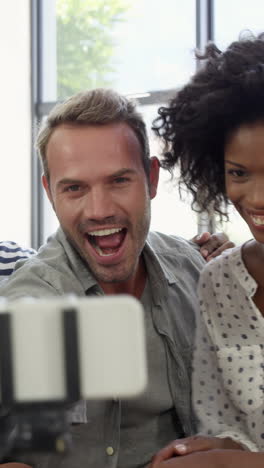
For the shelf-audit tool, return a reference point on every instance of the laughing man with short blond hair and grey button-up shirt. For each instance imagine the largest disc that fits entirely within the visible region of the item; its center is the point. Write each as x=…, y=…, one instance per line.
x=100, y=180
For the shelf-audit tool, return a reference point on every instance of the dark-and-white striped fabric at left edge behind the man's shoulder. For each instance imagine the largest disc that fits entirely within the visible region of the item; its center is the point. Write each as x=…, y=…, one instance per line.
x=10, y=252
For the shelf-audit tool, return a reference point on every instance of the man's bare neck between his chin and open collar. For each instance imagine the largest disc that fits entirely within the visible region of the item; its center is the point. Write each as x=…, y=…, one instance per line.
x=134, y=286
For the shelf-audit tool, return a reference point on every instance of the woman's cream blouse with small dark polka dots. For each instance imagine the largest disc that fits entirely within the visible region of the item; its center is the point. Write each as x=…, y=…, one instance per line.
x=228, y=366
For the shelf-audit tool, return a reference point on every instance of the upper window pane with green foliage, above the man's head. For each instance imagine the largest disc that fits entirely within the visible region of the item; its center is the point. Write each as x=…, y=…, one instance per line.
x=123, y=44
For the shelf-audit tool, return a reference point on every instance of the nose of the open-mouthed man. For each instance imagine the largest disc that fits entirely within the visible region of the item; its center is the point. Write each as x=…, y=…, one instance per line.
x=98, y=204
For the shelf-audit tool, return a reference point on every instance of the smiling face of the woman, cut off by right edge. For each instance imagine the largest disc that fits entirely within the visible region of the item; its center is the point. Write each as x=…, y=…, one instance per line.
x=244, y=175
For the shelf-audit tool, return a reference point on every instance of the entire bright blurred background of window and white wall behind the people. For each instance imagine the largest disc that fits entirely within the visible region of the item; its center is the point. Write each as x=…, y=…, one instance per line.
x=51, y=49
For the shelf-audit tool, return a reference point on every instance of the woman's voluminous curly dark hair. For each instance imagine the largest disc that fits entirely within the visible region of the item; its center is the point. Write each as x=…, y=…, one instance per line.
x=227, y=92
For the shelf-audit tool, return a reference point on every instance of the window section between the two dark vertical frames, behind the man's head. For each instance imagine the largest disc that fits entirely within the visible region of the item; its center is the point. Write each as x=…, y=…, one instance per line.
x=122, y=45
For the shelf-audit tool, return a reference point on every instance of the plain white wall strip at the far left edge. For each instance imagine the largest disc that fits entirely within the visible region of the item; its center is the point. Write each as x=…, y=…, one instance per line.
x=15, y=124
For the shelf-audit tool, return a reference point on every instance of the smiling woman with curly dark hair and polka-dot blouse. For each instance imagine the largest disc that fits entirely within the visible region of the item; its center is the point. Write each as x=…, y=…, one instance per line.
x=214, y=130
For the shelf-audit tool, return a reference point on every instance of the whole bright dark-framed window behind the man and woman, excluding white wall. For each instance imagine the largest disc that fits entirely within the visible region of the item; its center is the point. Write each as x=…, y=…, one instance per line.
x=142, y=48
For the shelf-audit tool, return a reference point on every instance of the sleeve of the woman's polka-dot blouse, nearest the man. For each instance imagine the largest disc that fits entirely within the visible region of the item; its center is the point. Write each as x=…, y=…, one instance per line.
x=216, y=413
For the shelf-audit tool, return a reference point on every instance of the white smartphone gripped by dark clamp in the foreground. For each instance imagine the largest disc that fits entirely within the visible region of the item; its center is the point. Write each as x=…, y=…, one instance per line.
x=63, y=349
